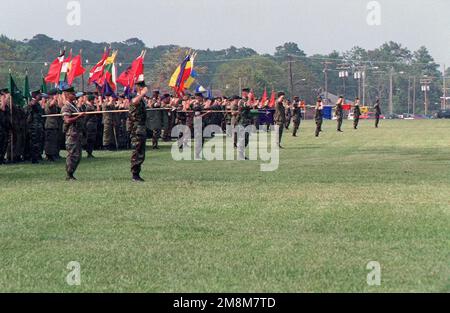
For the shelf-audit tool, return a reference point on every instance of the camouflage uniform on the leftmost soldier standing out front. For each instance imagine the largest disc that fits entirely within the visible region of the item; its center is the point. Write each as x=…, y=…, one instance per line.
x=73, y=139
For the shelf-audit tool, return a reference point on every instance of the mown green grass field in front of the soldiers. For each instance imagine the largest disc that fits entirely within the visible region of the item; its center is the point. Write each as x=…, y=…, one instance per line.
x=336, y=203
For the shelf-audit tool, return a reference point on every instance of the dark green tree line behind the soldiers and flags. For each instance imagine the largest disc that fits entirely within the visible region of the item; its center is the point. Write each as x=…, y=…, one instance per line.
x=226, y=71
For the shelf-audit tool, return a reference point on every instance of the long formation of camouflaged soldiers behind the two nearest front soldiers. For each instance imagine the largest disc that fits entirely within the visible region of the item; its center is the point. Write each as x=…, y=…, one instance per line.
x=25, y=135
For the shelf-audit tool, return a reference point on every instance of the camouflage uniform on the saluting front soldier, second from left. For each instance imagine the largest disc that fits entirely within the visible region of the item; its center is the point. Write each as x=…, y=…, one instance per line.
x=137, y=125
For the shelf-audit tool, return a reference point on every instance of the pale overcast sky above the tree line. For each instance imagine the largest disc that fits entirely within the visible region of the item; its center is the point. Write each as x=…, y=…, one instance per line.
x=318, y=26
